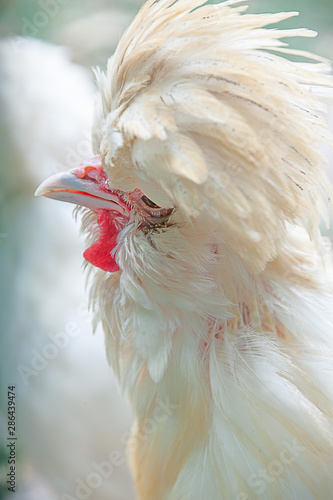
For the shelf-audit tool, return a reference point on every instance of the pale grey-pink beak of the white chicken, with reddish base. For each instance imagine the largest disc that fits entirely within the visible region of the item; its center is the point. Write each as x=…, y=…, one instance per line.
x=85, y=186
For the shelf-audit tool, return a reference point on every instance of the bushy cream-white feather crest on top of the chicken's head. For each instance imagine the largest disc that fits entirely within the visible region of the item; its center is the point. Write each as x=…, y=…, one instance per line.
x=210, y=111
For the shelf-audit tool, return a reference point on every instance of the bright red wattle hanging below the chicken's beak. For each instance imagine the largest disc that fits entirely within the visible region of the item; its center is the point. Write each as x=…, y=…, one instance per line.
x=99, y=253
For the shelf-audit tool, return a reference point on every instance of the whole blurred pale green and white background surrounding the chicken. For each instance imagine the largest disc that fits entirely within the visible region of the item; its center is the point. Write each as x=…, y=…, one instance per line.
x=71, y=420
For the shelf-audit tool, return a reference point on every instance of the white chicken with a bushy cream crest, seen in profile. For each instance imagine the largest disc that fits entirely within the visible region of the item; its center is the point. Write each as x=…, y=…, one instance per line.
x=215, y=286
